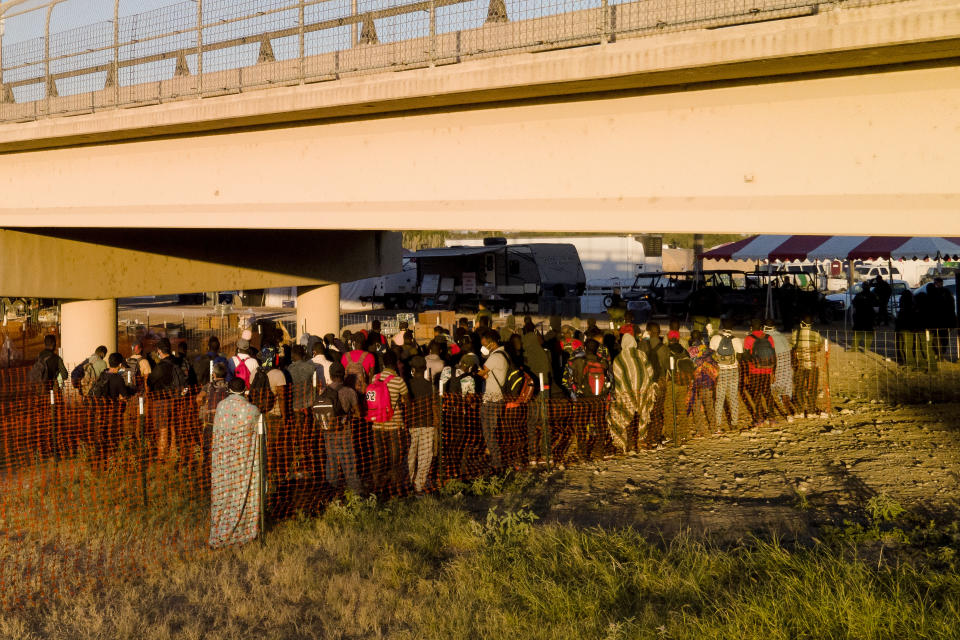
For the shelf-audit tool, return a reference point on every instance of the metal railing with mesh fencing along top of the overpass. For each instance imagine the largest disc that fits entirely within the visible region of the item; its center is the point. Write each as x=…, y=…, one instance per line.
x=215, y=47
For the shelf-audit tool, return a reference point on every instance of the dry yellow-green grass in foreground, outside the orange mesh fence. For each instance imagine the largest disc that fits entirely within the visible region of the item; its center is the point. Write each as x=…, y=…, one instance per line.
x=427, y=569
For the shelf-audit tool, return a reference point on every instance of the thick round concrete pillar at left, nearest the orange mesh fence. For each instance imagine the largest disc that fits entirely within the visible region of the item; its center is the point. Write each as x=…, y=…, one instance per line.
x=84, y=326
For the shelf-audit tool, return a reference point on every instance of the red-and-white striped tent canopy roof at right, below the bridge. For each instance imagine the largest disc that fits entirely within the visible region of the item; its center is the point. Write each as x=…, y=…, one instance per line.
x=775, y=248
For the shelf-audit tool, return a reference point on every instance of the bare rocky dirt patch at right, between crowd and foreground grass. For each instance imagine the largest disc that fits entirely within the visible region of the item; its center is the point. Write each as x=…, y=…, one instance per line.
x=787, y=481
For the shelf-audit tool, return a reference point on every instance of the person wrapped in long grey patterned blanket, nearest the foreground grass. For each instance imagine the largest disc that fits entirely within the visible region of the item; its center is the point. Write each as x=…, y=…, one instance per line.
x=235, y=470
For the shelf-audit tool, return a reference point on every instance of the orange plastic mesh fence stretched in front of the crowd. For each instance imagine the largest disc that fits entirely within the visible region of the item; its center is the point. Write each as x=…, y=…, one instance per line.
x=96, y=490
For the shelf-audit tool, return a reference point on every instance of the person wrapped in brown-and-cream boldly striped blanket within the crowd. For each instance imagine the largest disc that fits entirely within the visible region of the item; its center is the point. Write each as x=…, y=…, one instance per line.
x=634, y=392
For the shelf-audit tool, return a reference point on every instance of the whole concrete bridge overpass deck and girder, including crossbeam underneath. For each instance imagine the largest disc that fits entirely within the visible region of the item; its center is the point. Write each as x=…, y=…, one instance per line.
x=841, y=119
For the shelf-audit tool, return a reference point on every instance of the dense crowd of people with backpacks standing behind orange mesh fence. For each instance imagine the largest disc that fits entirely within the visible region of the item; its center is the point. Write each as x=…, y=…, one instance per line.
x=362, y=409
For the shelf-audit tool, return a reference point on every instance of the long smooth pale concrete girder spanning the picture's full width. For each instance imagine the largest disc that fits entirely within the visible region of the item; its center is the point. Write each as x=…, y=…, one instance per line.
x=846, y=154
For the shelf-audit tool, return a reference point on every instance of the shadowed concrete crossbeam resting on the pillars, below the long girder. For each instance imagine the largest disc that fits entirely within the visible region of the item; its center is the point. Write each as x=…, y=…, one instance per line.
x=113, y=263
